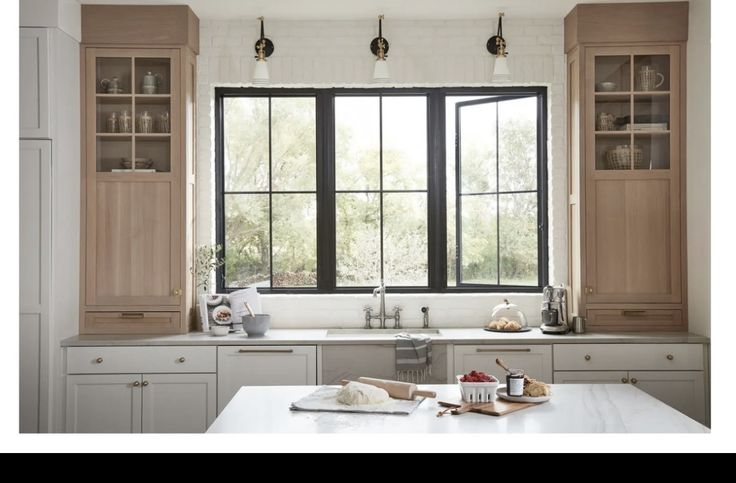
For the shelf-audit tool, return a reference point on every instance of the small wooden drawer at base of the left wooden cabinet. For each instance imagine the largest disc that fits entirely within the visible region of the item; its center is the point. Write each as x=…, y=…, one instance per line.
x=132, y=323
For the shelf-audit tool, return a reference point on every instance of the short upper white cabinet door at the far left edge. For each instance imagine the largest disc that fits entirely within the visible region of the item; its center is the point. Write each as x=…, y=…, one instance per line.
x=35, y=115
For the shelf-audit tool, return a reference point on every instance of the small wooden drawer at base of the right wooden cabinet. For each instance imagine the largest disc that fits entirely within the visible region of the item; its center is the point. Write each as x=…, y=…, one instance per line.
x=634, y=319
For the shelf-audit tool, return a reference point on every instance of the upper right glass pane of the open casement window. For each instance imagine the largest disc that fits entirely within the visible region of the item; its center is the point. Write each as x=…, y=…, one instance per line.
x=517, y=163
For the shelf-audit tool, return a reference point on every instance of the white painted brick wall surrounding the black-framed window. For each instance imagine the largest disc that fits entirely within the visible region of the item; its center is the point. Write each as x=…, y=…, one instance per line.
x=423, y=53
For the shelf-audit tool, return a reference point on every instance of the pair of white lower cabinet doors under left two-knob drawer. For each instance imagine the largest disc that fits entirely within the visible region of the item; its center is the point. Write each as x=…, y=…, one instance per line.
x=134, y=403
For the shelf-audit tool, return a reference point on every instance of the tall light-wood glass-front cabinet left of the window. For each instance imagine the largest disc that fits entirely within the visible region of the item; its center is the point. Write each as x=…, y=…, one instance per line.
x=138, y=87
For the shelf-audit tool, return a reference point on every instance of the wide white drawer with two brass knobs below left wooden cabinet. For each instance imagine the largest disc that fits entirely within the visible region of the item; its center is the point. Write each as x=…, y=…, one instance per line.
x=133, y=360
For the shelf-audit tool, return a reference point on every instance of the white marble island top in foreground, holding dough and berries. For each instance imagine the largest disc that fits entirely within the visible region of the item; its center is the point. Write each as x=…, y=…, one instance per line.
x=574, y=408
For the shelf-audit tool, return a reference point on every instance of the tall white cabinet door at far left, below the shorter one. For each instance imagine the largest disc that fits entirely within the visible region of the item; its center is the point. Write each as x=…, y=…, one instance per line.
x=35, y=275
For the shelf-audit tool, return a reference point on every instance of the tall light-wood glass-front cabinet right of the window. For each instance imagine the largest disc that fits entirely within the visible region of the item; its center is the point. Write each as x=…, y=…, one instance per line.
x=626, y=144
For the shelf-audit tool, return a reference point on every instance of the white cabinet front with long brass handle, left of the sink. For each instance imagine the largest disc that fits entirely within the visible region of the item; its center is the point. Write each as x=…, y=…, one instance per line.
x=263, y=366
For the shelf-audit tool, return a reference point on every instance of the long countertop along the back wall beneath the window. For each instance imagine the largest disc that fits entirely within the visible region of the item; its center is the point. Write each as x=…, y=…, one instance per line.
x=446, y=336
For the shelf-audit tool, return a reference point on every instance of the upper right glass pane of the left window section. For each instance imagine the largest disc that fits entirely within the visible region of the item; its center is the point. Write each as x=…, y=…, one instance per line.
x=293, y=144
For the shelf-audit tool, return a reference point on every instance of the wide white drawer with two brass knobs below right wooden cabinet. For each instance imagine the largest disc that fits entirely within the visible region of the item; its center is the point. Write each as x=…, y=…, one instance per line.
x=623, y=357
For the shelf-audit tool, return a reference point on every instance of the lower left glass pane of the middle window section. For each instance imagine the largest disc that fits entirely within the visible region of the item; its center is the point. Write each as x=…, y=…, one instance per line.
x=358, y=239
